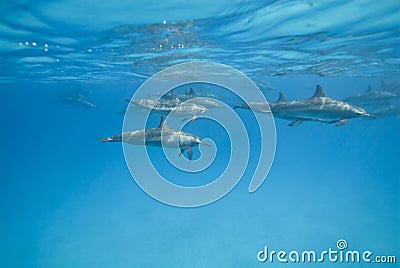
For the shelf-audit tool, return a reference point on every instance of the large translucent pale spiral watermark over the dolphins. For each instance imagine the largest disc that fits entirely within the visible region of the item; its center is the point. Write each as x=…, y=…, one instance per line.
x=148, y=174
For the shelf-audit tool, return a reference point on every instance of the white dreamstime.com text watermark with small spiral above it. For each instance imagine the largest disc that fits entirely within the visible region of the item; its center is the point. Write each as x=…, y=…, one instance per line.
x=340, y=254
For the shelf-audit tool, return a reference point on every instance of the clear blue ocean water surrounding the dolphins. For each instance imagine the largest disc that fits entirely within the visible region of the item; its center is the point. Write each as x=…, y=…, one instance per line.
x=67, y=200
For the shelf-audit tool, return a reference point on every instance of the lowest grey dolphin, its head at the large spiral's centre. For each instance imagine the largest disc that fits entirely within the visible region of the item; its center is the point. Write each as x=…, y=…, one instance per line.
x=163, y=135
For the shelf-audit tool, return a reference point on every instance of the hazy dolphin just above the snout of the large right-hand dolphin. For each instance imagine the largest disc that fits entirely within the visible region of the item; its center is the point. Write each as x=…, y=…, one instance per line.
x=371, y=97
